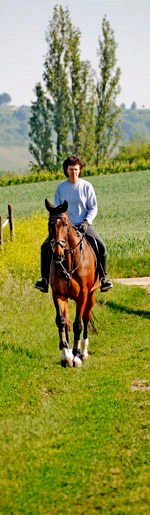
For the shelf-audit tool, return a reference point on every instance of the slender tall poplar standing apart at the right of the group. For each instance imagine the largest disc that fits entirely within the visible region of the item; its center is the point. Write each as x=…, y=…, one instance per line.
x=108, y=128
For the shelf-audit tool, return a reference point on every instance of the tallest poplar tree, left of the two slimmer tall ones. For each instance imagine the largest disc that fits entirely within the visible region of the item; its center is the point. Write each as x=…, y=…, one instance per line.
x=55, y=76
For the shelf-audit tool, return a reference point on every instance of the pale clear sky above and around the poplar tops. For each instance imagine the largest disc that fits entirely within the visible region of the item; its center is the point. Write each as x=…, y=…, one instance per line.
x=23, y=47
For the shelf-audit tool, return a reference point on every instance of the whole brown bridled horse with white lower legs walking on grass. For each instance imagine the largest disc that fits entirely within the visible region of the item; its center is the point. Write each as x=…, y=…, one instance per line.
x=72, y=275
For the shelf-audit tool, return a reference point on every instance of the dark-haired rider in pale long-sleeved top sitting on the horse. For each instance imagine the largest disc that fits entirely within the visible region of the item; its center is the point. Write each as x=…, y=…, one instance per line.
x=82, y=209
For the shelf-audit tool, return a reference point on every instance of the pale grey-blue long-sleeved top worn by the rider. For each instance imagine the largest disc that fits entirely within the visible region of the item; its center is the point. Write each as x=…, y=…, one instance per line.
x=81, y=200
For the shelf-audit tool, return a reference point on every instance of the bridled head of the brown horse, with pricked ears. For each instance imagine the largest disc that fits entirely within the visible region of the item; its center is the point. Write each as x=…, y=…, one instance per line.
x=58, y=228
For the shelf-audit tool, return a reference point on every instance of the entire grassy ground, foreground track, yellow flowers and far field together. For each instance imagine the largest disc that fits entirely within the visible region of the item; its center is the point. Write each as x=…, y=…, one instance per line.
x=76, y=440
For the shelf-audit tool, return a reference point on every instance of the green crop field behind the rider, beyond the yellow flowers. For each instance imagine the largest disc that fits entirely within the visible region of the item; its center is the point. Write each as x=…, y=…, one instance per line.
x=122, y=220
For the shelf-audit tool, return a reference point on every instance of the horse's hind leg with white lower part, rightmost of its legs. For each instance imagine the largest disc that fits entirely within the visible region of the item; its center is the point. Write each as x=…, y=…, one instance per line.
x=86, y=320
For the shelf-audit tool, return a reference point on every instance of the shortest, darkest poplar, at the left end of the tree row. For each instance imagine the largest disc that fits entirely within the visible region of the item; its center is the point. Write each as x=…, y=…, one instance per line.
x=41, y=129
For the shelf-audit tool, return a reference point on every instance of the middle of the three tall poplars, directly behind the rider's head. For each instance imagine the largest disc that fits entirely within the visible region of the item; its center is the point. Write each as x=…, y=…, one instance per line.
x=82, y=99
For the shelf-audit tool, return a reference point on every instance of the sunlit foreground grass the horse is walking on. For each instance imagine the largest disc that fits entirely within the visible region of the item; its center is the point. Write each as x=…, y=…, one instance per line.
x=74, y=441
